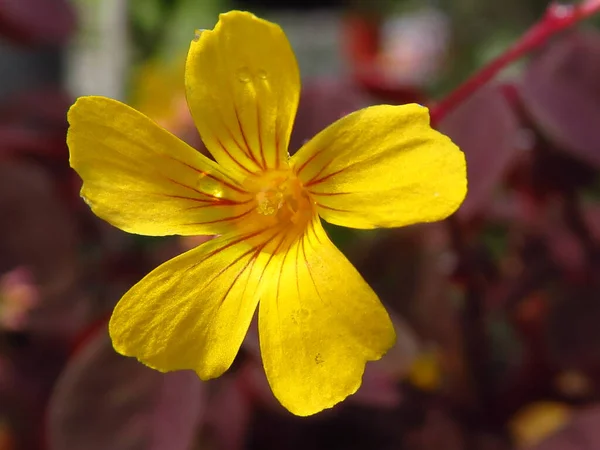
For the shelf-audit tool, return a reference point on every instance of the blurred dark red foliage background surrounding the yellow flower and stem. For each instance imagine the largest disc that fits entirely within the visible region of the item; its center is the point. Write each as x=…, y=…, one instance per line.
x=497, y=309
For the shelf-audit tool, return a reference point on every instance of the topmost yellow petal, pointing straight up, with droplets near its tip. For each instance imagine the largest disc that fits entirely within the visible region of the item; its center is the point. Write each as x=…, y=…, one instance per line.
x=243, y=85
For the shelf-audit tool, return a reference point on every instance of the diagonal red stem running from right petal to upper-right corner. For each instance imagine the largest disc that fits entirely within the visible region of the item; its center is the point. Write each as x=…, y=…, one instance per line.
x=558, y=17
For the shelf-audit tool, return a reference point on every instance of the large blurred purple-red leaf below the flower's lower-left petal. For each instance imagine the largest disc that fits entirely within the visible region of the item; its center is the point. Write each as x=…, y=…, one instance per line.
x=107, y=401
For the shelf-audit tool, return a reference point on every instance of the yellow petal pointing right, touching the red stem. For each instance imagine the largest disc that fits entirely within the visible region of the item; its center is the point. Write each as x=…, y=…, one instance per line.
x=383, y=166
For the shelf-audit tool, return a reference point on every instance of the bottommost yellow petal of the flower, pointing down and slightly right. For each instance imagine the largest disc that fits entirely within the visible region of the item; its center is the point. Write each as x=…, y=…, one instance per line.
x=319, y=323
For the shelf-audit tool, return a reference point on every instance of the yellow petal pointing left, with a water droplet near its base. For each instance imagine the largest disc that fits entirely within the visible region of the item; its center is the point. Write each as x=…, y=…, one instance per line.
x=144, y=180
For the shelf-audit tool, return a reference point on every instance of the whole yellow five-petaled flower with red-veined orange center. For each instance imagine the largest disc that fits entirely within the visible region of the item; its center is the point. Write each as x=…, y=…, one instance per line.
x=319, y=322
